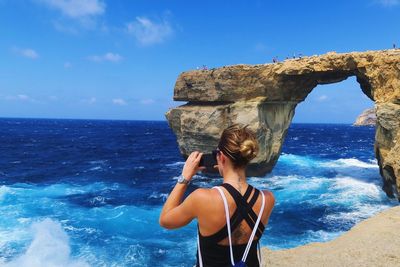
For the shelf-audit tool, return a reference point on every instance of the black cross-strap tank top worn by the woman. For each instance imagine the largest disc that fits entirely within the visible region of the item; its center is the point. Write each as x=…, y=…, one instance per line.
x=217, y=255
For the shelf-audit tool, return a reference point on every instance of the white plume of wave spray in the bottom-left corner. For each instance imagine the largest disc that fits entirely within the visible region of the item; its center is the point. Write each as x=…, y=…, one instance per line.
x=49, y=248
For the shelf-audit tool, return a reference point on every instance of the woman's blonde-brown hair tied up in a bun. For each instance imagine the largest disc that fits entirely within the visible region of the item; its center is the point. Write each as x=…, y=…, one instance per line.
x=239, y=143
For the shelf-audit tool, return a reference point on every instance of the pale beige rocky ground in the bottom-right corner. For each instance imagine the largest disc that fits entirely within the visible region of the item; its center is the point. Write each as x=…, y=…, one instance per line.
x=374, y=242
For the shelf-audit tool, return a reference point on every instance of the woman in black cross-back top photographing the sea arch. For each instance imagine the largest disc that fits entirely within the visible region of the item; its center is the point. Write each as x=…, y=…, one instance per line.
x=237, y=147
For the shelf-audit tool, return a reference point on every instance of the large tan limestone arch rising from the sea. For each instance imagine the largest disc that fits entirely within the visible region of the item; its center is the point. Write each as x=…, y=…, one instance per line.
x=265, y=97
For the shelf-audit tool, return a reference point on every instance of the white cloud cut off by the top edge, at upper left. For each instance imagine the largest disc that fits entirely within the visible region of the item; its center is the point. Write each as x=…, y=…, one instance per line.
x=77, y=8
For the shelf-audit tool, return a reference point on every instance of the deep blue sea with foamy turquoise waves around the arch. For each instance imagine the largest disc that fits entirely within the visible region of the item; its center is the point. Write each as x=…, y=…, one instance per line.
x=89, y=193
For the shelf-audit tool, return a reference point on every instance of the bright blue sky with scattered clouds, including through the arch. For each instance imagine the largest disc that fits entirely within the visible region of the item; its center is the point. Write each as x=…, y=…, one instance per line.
x=115, y=59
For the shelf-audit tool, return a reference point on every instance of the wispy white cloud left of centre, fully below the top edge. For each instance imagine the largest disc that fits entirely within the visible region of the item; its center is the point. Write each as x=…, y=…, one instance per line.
x=148, y=32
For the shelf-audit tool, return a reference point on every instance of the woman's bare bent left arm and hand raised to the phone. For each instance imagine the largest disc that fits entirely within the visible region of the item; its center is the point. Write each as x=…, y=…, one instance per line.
x=176, y=213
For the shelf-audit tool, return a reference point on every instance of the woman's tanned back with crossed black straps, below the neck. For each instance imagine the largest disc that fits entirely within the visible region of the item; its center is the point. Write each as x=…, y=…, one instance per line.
x=244, y=208
